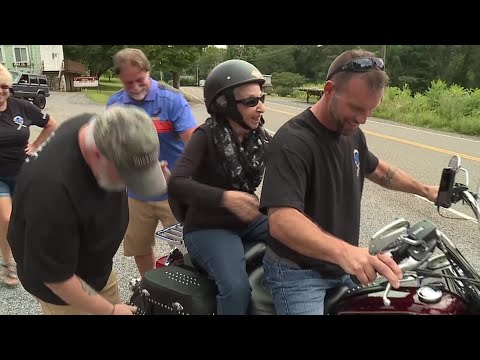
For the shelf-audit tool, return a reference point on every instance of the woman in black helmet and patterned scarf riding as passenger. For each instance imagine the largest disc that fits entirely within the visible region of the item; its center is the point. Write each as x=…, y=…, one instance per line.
x=212, y=187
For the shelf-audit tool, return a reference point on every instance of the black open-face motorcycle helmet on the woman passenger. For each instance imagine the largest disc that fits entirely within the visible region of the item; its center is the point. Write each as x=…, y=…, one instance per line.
x=219, y=85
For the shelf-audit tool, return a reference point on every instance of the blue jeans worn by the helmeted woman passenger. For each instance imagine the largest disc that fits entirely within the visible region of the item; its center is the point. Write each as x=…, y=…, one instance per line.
x=220, y=253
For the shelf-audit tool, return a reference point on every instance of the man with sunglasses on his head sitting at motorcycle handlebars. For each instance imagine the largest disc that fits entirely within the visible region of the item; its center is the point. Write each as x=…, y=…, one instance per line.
x=312, y=190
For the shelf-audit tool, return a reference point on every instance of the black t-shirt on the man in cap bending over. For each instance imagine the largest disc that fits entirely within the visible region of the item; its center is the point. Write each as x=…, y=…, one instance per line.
x=62, y=222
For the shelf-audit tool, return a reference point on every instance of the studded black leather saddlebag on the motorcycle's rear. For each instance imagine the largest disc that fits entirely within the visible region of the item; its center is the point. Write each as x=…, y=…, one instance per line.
x=174, y=290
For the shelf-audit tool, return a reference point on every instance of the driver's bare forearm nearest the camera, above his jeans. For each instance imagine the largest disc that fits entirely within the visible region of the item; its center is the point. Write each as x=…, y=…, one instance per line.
x=295, y=230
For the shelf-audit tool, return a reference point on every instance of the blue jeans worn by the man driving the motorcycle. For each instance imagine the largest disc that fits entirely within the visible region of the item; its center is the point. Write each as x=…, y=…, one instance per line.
x=297, y=291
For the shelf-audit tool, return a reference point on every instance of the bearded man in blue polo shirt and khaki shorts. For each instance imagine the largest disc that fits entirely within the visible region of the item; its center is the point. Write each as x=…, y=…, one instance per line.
x=175, y=123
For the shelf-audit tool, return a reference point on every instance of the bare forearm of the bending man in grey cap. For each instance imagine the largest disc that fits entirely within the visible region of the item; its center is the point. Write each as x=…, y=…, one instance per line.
x=76, y=292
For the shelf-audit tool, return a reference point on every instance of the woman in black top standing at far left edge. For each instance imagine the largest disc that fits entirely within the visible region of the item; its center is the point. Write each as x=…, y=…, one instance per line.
x=16, y=116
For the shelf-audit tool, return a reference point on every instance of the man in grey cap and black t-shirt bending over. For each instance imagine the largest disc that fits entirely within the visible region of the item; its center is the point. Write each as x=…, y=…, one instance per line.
x=70, y=211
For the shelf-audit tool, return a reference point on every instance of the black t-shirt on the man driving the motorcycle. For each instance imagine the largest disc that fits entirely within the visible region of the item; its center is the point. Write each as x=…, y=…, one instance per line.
x=321, y=174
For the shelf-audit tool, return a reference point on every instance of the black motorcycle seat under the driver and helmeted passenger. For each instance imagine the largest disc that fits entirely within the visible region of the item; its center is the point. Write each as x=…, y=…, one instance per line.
x=262, y=301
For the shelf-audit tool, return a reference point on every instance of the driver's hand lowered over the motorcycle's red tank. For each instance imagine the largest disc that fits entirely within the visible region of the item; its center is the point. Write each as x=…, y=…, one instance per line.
x=358, y=261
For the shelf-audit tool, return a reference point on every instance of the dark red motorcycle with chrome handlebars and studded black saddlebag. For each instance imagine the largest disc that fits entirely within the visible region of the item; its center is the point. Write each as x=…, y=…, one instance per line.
x=437, y=277
